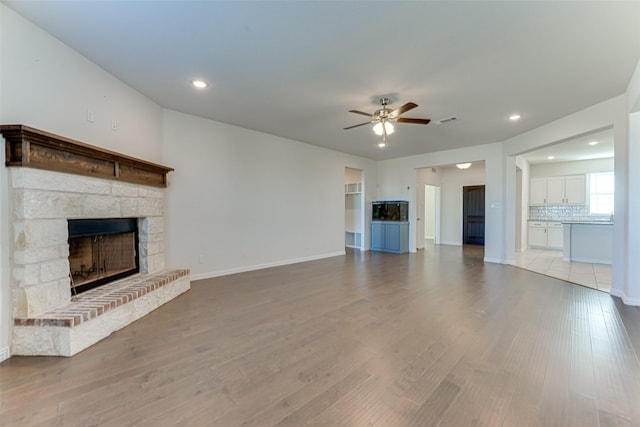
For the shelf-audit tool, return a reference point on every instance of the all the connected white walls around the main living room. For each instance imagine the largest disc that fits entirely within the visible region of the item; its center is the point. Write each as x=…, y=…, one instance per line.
x=231, y=205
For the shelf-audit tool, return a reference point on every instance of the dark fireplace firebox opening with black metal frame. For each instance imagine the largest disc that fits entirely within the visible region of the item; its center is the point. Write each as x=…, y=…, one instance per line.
x=101, y=251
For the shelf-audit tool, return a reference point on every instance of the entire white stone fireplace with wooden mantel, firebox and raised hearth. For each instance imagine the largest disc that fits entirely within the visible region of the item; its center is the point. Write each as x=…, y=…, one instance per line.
x=116, y=206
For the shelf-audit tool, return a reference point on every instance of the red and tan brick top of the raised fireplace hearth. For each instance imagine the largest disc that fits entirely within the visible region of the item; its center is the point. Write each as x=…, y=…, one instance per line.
x=91, y=304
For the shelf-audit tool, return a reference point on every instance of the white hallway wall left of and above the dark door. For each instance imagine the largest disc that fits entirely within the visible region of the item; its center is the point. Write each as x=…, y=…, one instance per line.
x=453, y=180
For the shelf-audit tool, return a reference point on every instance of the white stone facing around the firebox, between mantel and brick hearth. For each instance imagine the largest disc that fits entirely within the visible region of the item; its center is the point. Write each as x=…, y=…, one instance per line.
x=42, y=201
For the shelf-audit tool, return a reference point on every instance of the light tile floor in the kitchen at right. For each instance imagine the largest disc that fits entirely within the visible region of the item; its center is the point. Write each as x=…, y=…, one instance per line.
x=550, y=263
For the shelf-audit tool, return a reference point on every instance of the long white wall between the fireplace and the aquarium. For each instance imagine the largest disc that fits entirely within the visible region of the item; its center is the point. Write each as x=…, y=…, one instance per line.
x=241, y=200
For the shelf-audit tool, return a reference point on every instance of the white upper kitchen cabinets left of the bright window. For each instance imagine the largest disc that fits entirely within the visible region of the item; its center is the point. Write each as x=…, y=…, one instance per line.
x=558, y=190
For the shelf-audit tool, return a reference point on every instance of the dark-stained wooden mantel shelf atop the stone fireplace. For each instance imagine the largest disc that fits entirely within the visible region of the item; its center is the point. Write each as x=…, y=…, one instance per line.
x=34, y=148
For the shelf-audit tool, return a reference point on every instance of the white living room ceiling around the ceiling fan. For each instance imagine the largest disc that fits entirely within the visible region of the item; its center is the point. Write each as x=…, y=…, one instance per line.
x=295, y=68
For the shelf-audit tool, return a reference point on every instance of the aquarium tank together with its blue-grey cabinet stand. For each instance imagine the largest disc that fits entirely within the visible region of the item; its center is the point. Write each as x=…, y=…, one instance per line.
x=390, y=227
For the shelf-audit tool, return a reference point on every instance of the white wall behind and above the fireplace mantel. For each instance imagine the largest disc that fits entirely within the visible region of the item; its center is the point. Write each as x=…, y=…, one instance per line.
x=48, y=86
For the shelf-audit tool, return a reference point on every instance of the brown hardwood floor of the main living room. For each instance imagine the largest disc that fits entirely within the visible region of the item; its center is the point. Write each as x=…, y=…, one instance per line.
x=367, y=339
